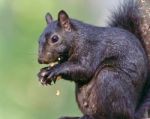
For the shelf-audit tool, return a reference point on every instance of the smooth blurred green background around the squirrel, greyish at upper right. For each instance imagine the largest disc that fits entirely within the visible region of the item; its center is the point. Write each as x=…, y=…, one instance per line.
x=21, y=22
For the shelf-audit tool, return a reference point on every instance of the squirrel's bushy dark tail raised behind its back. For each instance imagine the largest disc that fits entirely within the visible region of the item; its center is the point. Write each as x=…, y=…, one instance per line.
x=129, y=16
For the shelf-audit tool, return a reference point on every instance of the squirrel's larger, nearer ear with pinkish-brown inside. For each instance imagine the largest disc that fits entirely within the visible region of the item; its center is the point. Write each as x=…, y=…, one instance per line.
x=64, y=21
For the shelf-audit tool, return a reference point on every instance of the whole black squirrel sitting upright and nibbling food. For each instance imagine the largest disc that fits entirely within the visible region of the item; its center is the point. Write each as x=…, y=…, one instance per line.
x=109, y=65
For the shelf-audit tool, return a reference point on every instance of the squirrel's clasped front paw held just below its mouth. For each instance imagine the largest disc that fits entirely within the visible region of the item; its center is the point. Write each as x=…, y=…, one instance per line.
x=46, y=76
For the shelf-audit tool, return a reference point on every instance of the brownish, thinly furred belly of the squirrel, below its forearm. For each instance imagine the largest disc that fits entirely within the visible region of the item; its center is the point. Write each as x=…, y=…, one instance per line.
x=87, y=99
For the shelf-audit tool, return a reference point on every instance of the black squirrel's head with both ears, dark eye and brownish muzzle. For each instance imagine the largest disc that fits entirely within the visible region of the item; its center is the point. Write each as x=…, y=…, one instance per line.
x=55, y=41
